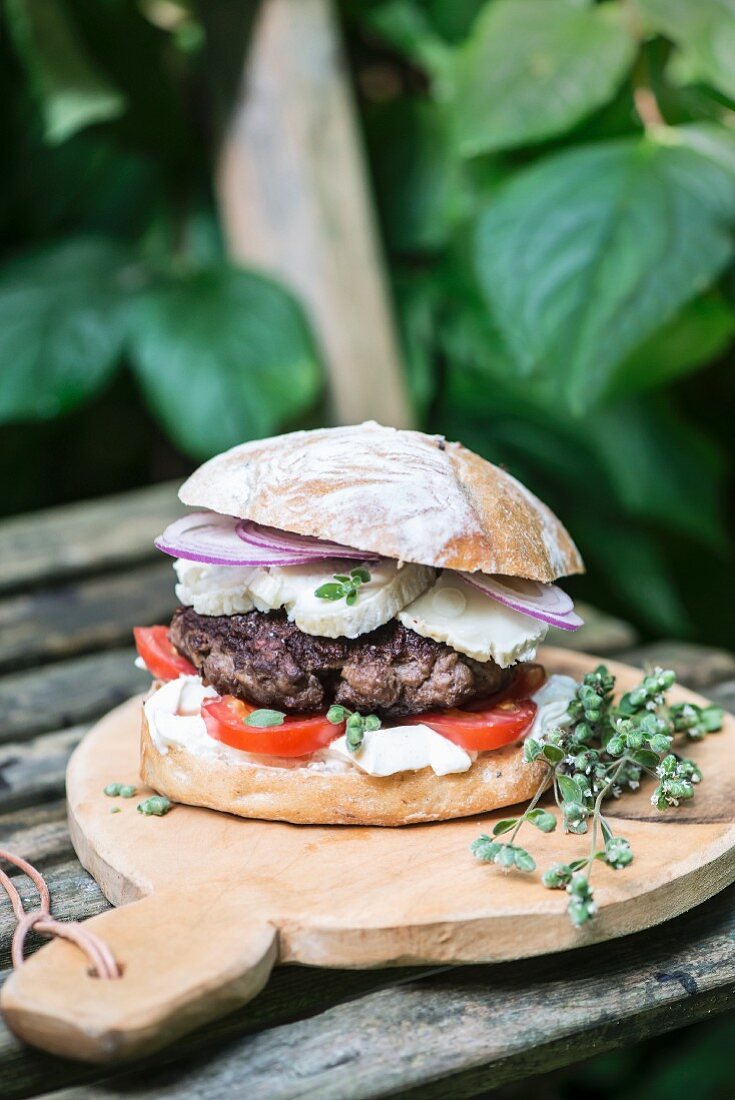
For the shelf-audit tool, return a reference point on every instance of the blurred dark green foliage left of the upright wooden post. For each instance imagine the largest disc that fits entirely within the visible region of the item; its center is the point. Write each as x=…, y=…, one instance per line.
x=115, y=255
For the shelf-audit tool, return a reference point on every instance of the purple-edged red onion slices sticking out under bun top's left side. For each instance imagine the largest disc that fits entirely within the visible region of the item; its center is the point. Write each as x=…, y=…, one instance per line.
x=218, y=541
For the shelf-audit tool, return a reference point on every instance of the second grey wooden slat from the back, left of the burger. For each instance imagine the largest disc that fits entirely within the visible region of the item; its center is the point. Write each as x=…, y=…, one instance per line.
x=84, y=615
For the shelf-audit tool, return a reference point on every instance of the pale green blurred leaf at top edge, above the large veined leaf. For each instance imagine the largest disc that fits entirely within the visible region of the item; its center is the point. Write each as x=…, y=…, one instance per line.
x=534, y=69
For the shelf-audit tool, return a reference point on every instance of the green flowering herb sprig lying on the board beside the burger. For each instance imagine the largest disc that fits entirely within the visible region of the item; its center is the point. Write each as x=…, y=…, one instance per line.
x=604, y=750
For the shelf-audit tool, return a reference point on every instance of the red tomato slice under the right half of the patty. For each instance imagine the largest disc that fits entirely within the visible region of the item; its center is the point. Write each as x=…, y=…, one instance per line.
x=481, y=730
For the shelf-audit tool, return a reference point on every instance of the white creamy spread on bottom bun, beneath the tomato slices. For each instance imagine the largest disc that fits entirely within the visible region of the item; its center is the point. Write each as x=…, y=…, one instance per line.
x=174, y=718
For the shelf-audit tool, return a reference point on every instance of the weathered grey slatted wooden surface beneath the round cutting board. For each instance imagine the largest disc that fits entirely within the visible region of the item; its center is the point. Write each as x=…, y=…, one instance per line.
x=73, y=582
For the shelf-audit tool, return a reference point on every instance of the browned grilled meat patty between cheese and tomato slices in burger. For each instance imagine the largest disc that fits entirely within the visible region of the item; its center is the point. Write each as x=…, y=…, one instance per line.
x=265, y=659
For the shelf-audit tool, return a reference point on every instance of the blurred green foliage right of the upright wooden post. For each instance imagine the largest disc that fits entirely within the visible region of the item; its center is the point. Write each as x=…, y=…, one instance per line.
x=557, y=186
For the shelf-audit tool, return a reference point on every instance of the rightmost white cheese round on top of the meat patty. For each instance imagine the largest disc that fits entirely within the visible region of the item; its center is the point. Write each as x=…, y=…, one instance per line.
x=470, y=622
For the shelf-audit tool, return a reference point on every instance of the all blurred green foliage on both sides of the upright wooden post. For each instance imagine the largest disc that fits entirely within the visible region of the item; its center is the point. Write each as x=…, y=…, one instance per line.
x=556, y=182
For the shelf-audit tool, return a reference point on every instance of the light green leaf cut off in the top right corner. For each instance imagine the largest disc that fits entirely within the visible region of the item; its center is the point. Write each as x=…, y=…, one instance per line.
x=705, y=31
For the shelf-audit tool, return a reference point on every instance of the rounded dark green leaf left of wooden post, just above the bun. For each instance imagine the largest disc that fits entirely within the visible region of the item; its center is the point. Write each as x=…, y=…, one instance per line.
x=223, y=356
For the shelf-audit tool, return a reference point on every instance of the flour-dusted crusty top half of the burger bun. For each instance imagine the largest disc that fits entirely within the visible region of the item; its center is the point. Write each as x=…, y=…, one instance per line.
x=402, y=494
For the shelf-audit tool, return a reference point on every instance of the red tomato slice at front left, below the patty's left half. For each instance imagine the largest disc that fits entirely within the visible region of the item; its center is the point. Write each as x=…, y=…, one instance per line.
x=299, y=735
